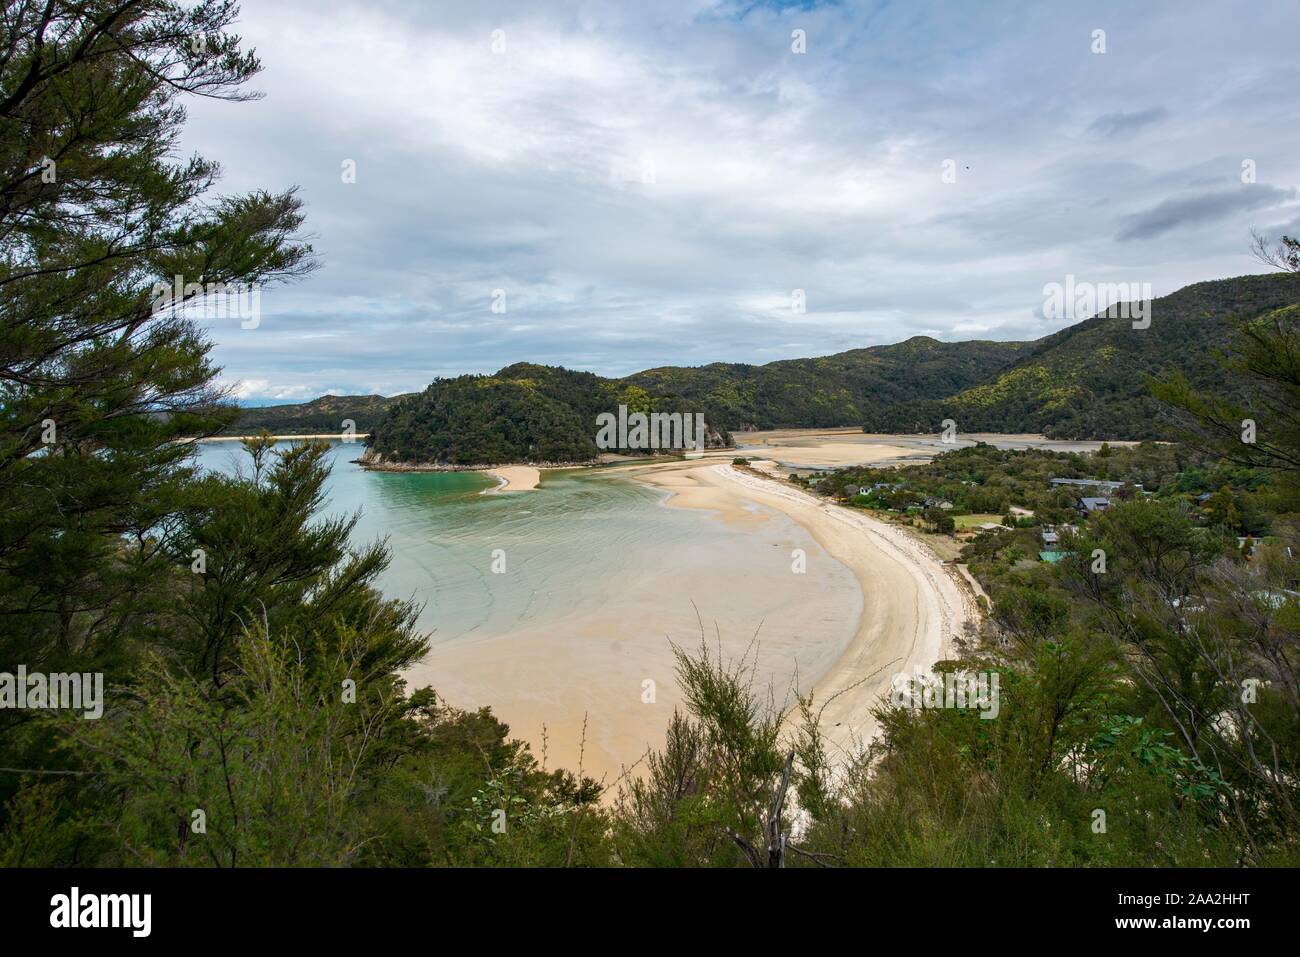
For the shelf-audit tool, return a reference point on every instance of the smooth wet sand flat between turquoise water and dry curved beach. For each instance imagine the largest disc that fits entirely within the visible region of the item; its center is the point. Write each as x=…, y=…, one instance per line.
x=596, y=687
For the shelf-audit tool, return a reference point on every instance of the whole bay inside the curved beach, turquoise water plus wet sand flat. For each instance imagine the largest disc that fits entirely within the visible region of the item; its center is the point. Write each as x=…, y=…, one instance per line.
x=601, y=581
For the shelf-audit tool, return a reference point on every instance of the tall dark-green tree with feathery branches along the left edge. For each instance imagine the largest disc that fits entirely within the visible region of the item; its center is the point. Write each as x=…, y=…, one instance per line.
x=101, y=373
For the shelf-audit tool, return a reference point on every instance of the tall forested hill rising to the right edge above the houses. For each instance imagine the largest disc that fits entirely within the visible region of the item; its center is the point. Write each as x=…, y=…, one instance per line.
x=1090, y=380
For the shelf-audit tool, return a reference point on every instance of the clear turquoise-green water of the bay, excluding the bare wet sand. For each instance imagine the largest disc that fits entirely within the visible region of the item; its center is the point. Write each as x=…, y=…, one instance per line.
x=565, y=545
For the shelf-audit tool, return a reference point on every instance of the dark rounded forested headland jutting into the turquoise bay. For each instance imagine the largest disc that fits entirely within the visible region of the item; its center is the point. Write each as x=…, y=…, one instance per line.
x=526, y=413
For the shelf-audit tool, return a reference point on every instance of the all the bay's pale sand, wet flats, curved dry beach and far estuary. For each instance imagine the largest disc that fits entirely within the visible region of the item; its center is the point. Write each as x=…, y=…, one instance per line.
x=578, y=683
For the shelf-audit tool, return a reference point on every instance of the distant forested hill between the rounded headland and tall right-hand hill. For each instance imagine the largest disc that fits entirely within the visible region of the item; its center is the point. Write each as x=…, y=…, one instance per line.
x=839, y=389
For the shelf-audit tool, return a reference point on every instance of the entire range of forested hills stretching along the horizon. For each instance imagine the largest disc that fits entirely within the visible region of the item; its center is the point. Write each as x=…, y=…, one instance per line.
x=1087, y=382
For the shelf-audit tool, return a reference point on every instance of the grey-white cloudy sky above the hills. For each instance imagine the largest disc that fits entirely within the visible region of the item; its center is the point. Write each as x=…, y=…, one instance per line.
x=648, y=184
